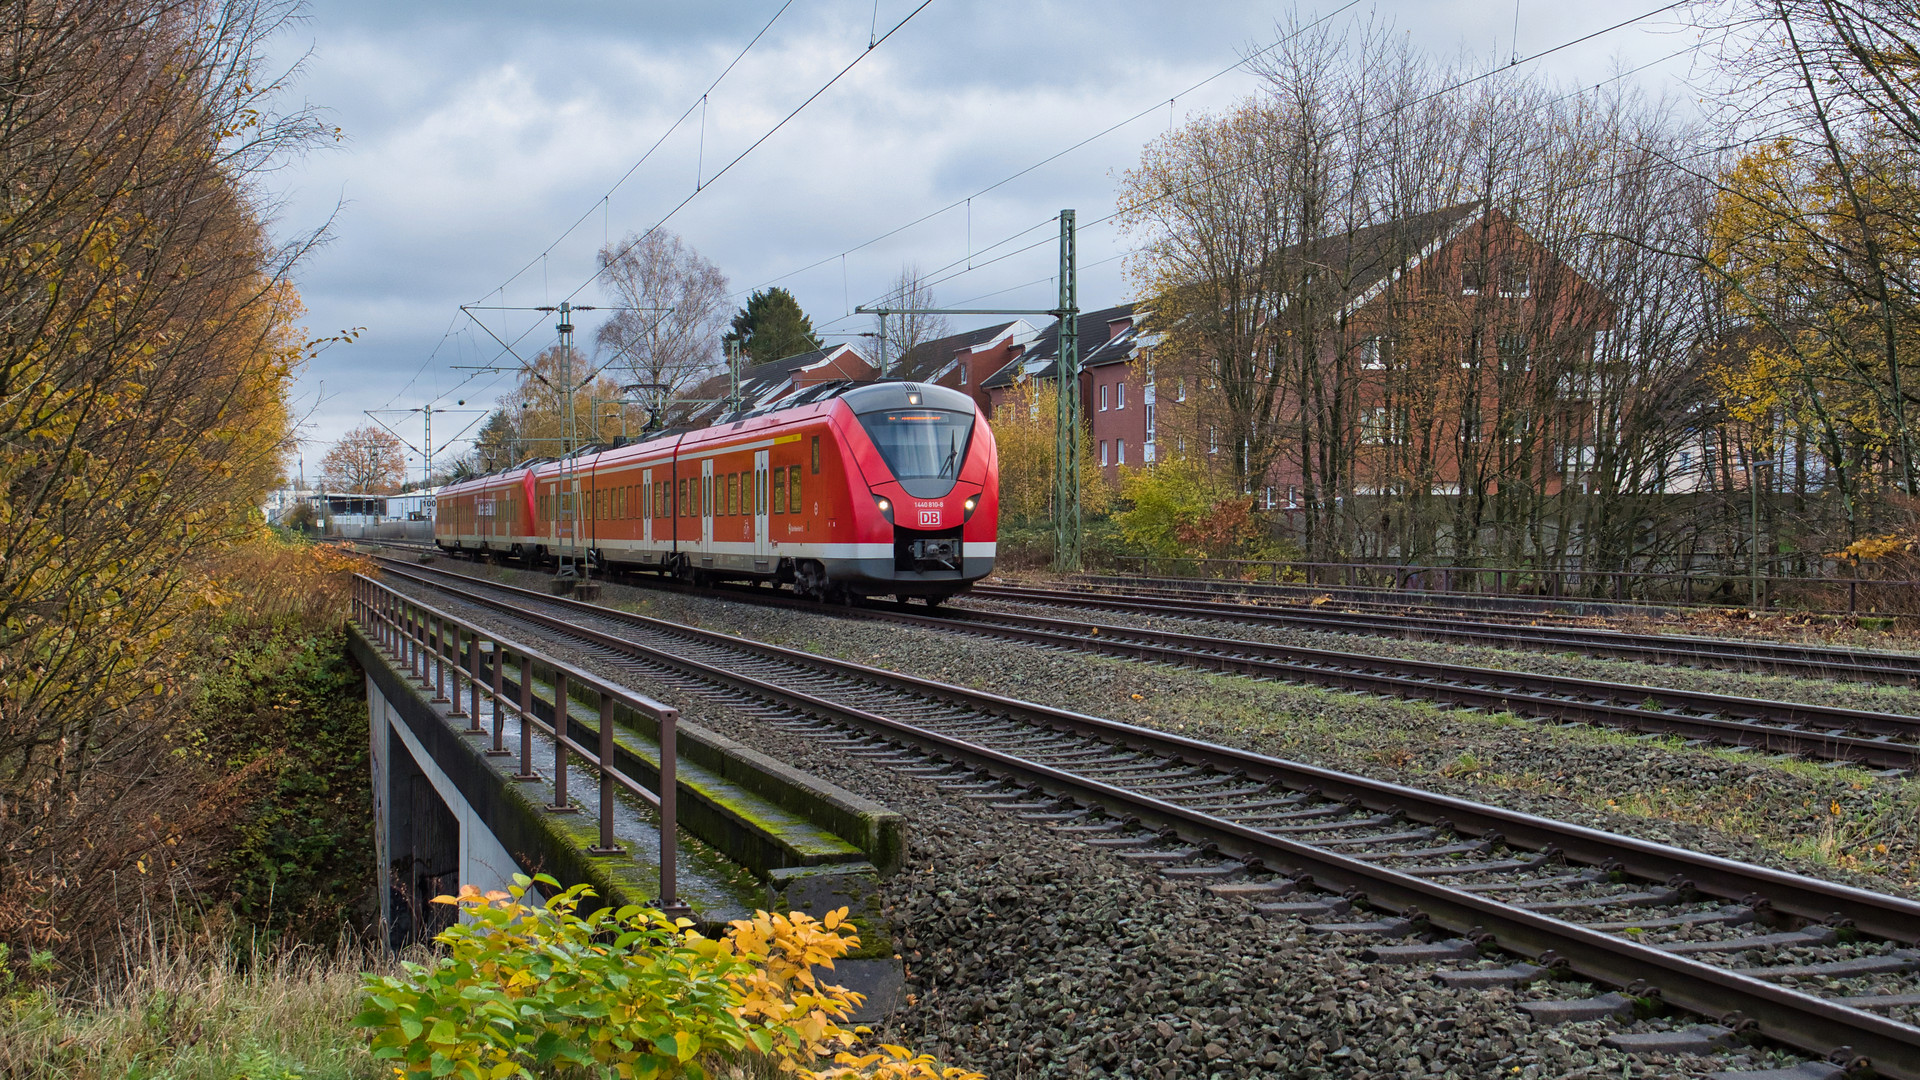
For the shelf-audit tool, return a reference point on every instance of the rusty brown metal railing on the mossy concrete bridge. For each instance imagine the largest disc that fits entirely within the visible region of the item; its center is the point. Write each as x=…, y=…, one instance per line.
x=427, y=645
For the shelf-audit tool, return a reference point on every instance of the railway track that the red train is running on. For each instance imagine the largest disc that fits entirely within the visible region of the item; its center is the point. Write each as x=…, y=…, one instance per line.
x=1879, y=741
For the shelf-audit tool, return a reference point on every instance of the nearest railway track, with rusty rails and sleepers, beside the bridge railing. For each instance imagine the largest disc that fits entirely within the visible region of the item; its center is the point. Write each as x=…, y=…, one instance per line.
x=1827, y=970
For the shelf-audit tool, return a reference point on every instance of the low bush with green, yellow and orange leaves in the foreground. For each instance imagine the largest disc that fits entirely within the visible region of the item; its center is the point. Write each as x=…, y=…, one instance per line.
x=629, y=993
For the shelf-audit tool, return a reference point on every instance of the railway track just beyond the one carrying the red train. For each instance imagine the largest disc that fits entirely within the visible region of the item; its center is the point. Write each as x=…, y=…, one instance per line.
x=1773, y=658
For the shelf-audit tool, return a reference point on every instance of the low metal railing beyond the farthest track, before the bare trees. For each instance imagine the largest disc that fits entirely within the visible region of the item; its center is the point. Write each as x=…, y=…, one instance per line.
x=1719, y=589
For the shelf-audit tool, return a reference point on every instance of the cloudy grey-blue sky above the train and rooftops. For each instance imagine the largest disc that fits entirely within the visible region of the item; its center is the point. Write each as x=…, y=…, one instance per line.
x=485, y=147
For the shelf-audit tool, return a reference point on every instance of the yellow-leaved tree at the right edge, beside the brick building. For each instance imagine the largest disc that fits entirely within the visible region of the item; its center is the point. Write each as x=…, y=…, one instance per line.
x=1813, y=239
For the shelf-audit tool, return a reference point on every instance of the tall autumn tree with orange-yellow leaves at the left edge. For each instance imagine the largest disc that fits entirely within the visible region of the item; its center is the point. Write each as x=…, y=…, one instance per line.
x=147, y=345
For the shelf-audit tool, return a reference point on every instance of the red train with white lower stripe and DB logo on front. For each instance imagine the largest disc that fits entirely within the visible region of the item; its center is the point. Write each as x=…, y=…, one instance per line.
x=842, y=491
